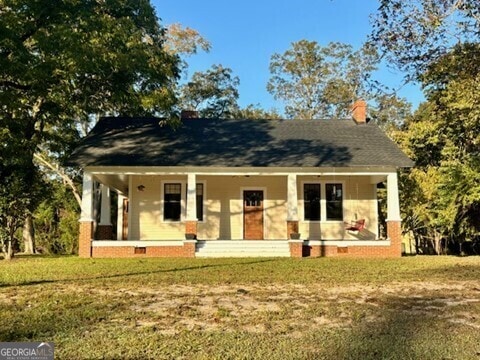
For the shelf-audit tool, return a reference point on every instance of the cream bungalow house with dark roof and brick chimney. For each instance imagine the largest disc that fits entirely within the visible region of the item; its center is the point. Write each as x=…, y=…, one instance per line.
x=222, y=187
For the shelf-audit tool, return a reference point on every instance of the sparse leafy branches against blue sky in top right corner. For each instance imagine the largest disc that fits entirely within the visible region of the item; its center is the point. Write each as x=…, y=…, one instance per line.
x=414, y=34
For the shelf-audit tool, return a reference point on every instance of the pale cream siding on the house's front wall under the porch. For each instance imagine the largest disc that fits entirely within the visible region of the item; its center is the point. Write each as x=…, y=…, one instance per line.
x=223, y=207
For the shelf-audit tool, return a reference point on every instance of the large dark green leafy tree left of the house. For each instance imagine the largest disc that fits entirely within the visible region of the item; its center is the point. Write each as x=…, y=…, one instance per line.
x=62, y=62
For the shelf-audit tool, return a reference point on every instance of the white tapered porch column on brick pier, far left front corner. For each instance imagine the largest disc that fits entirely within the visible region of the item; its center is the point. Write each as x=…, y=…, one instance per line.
x=86, y=217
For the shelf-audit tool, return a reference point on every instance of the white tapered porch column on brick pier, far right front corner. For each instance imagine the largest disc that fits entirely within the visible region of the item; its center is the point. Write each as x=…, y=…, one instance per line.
x=394, y=230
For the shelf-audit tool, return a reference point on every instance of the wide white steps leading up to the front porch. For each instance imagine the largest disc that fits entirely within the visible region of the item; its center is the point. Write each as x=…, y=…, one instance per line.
x=242, y=248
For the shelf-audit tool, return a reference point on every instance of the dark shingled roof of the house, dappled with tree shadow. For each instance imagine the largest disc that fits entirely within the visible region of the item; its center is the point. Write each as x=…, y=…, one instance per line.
x=237, y=143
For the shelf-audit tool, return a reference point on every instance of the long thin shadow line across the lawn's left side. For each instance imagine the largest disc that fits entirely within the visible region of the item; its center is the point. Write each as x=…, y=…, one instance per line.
x=136, y=273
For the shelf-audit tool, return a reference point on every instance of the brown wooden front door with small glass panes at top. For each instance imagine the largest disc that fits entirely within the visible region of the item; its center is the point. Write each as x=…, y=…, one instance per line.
x=253, y=215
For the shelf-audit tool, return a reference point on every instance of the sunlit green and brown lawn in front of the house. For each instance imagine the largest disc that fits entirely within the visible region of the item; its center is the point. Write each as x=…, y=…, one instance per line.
x=409, y=308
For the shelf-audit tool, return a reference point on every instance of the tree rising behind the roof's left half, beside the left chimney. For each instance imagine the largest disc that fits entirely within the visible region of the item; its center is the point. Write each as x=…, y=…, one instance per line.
x=213, y=93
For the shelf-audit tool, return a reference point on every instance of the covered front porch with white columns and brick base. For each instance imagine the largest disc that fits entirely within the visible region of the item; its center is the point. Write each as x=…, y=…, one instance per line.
x=197, y=212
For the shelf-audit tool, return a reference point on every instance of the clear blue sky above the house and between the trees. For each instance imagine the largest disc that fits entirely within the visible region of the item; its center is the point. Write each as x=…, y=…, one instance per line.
x=245, y=34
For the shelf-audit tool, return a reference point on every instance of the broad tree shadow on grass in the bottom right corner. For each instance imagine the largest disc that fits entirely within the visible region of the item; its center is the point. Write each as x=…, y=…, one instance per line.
x=410, y=328
